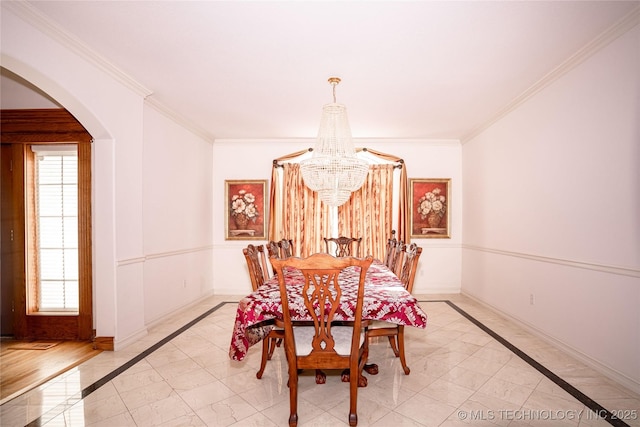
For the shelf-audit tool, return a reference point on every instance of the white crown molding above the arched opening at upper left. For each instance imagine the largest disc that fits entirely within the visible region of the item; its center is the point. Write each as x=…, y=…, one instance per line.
x=43, y=23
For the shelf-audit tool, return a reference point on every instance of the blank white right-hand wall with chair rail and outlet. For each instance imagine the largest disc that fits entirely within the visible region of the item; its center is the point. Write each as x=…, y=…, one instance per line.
x=552, y=210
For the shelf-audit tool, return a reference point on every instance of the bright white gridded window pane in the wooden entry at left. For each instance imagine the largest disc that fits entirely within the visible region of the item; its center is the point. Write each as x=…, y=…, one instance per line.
x=57, y=227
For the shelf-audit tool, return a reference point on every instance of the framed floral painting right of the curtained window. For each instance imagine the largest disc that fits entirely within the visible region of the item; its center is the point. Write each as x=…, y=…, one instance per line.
x=430, y=202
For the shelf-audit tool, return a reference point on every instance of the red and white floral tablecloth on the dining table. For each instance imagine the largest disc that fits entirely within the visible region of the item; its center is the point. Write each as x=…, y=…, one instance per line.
x=384, y=299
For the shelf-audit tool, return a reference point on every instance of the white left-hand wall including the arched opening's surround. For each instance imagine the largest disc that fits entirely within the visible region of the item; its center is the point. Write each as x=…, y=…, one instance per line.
x=151, y=245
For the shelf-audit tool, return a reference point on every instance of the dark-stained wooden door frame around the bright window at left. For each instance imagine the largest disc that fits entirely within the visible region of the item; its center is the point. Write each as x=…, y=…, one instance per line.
x=51, y=126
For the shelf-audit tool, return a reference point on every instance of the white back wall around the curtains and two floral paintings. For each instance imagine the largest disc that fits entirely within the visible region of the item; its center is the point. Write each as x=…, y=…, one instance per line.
x=439, y=266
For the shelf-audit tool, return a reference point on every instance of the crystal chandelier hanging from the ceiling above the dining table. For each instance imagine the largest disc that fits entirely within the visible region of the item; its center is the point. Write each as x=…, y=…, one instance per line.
x=333, y=170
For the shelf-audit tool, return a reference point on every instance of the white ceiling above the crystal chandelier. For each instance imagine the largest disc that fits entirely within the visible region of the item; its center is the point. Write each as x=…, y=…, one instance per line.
x=421, y=69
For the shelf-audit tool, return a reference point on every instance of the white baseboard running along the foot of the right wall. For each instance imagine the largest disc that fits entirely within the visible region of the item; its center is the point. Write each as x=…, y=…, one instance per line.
x=605, y=370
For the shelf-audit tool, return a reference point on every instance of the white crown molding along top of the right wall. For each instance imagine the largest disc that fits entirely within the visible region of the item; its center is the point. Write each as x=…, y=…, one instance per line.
x=629, y=21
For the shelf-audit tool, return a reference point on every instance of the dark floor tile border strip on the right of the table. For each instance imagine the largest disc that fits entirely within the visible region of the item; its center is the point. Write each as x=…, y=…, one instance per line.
x=583, y=398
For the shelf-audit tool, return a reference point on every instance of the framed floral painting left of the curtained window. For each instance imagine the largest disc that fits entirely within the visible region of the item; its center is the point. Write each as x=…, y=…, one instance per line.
x=246, y=207
